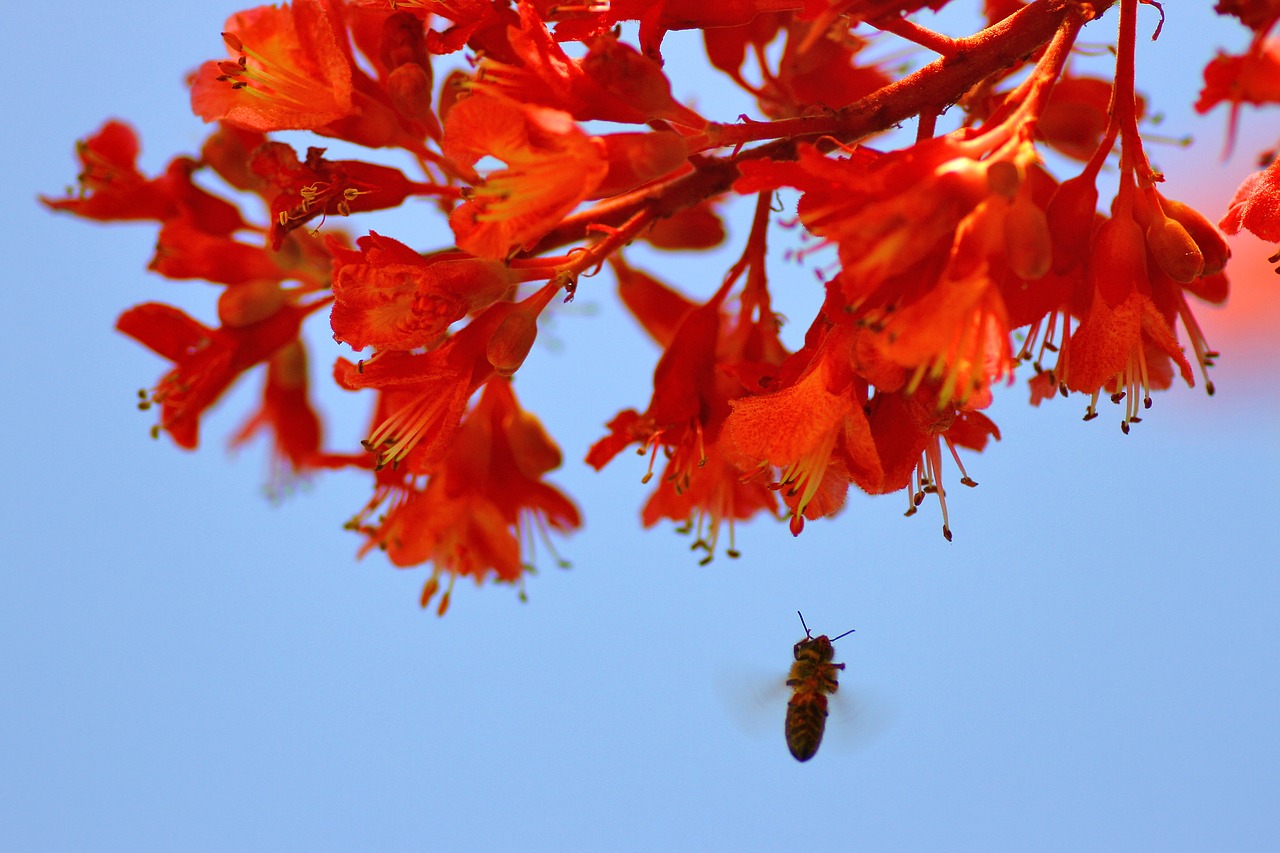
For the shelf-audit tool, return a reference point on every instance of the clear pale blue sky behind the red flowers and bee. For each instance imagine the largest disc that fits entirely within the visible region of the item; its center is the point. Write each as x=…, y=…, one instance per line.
x=1091, y=665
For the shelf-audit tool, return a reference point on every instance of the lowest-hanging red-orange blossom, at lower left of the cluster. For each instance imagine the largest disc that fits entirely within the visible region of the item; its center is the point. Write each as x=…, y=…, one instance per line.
x=482, y=508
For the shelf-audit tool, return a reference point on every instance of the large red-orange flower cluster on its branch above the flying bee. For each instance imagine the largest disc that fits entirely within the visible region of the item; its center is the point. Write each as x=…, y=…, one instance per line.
x=550, y=143
